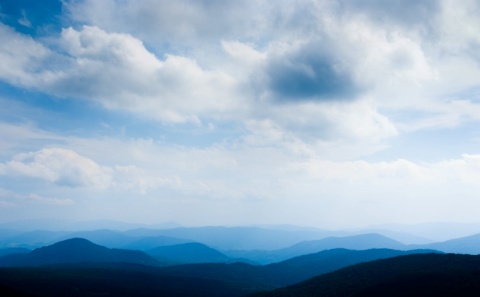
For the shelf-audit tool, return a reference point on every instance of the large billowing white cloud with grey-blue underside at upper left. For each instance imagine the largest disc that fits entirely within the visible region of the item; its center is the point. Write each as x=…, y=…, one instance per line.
x=117, y=71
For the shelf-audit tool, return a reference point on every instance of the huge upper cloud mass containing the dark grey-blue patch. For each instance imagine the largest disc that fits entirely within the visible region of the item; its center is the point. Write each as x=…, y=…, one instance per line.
x=316, y=71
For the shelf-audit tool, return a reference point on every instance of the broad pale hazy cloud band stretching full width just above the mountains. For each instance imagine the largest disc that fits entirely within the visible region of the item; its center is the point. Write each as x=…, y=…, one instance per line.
x=154, y=179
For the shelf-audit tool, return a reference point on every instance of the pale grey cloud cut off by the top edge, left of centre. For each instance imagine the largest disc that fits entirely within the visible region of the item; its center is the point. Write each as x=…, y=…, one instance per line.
x=180, y=24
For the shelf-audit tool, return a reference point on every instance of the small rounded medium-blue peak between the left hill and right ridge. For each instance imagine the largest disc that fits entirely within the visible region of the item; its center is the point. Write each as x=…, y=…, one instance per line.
x=189, y=253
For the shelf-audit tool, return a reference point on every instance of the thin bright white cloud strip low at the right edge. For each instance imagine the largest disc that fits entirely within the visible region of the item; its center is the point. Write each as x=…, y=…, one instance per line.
x=444, y=174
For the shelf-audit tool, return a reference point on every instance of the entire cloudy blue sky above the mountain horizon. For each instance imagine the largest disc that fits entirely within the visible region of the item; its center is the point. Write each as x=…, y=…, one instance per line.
x=328, y=113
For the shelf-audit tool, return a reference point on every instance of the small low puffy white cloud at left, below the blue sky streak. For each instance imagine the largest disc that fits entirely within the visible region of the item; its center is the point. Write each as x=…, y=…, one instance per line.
x=67, y=168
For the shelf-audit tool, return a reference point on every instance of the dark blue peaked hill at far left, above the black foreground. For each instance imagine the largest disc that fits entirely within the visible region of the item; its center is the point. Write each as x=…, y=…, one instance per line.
x=76, y=250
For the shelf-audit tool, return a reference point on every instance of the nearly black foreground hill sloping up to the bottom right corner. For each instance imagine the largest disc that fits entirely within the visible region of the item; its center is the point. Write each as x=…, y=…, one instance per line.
x=412, y=275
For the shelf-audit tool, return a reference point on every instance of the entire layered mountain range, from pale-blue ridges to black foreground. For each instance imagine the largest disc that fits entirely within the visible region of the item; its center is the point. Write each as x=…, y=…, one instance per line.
x=171, y=262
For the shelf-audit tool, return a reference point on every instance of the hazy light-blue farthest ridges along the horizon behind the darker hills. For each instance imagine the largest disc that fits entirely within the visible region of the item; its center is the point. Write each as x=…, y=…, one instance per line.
x=146, y=240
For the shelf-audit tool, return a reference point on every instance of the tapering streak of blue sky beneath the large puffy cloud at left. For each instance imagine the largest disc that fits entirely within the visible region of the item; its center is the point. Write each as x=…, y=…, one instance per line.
x=84, y=118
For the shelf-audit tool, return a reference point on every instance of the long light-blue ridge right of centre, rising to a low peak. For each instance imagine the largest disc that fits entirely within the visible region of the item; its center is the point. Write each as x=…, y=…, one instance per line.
x=355, y=242
